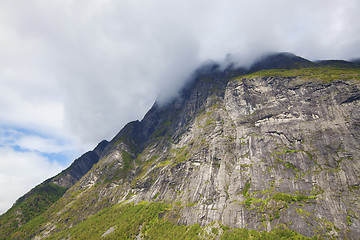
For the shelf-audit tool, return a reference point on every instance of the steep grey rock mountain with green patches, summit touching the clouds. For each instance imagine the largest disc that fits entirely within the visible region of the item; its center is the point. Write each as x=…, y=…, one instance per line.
x=266, y=153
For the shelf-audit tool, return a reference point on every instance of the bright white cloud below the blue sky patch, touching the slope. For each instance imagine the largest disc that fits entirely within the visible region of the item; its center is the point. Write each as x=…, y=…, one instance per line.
x=20, y=172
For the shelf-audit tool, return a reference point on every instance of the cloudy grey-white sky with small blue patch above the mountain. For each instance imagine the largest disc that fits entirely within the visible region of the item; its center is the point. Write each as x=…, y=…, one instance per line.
x=74, y=72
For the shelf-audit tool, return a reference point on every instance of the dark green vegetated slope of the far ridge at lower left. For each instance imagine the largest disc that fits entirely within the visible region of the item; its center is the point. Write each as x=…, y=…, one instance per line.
x=30, y=206
